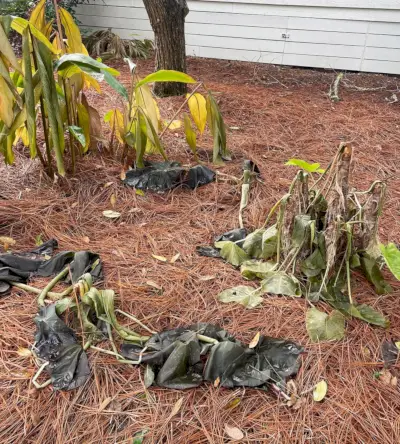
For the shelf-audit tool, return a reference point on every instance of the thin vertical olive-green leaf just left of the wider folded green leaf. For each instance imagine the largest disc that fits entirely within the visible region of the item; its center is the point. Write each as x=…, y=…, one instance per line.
x=29, y=93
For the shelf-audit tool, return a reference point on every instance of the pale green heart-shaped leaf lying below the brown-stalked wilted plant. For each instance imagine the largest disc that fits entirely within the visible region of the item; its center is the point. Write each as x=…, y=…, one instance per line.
x=323, y=327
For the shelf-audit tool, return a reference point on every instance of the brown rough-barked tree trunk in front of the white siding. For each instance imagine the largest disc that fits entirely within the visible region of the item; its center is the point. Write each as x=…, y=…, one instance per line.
x=167, y=18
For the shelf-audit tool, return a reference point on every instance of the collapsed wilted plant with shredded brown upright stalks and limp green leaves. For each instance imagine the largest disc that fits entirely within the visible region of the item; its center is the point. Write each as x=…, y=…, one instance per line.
x=324, y=230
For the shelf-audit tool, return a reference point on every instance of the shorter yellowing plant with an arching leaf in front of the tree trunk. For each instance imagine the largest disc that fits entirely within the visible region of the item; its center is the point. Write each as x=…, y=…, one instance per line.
x=139, y=126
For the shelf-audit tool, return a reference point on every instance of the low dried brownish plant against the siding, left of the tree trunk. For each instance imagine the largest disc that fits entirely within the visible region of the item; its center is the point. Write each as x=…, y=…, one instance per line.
x=107, y=45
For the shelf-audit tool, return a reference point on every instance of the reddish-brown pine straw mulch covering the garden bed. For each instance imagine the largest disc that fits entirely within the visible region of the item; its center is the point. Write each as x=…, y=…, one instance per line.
x=281, y=113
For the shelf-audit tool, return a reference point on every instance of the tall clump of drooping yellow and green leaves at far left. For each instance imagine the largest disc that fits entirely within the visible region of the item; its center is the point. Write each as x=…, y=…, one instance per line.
x=51, y=77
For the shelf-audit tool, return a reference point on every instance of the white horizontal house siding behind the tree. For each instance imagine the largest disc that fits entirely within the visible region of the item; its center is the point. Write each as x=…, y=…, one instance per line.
x=360, y=35
